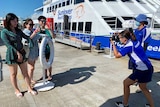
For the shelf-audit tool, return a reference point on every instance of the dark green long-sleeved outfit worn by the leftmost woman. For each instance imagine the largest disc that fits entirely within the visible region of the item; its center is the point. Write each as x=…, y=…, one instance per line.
x=13, y=44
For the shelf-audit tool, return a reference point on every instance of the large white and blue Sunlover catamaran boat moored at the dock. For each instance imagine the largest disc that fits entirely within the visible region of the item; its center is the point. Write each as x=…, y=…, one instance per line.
x=88, y=22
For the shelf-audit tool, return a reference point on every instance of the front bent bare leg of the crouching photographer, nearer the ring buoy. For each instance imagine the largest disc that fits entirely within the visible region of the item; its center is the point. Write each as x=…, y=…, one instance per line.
x=126, y=83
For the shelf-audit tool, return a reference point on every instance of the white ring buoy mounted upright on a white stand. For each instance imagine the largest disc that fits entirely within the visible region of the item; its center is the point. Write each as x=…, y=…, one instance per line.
x=46, y=64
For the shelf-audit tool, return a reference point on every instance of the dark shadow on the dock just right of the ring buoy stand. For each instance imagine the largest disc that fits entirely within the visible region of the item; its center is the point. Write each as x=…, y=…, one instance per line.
x=73, y=76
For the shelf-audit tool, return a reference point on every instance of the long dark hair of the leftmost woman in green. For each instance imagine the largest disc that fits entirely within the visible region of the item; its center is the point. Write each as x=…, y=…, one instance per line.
x=9, y=17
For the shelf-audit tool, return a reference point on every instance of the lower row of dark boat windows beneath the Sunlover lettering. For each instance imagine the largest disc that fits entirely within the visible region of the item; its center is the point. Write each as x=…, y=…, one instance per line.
x=74, y=26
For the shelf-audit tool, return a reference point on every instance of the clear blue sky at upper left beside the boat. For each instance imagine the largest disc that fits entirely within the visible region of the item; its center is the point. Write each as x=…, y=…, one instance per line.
x=22, y=8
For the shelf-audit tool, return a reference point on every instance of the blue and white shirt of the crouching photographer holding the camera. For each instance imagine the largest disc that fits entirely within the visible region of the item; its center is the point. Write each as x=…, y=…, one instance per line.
x=137, y=55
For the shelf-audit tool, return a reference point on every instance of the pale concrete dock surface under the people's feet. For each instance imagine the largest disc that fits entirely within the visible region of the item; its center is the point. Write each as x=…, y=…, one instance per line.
x=82, y=79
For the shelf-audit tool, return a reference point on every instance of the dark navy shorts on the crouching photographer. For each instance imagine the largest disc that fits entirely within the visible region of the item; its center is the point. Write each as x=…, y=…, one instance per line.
x=142, y=76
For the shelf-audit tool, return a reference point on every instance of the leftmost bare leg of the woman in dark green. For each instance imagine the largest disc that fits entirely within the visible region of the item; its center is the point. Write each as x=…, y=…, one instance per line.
x=13, y=77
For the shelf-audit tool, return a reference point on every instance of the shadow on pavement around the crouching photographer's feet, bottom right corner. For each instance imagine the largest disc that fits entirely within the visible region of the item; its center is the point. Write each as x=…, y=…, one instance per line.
x=138, y=99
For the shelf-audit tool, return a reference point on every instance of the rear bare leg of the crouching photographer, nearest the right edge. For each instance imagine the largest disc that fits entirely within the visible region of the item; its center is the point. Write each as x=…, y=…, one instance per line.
x=143, y=87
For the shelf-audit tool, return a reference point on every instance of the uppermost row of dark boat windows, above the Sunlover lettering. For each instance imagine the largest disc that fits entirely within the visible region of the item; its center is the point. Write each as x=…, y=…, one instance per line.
x=69, y=2
